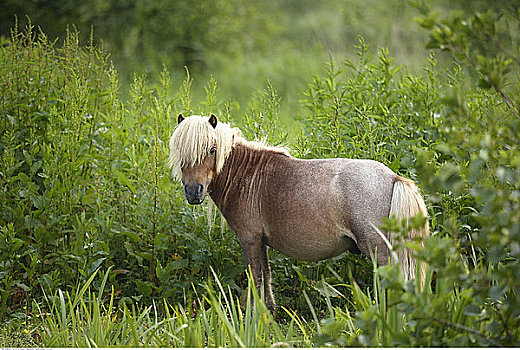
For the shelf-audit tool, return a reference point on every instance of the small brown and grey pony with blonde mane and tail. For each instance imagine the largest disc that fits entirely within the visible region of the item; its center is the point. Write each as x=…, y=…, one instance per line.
x=306, y=209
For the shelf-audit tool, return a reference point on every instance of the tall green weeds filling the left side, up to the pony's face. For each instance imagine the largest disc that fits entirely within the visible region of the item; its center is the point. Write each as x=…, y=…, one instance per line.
x=84, y=180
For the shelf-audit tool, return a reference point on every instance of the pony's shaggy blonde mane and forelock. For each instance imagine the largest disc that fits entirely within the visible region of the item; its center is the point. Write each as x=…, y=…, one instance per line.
x=194, y=137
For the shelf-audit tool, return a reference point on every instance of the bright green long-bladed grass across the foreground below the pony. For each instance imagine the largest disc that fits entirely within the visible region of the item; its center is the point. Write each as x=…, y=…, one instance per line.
x=83, y=318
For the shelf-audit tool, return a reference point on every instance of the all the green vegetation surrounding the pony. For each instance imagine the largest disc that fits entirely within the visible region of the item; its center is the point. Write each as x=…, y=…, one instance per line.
x=97, y=244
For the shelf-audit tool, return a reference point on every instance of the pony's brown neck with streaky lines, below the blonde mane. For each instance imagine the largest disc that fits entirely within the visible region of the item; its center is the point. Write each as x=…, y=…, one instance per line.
x=241, y=177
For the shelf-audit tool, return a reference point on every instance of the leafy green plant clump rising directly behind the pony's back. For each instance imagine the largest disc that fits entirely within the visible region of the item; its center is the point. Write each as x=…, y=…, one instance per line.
x=367, y=109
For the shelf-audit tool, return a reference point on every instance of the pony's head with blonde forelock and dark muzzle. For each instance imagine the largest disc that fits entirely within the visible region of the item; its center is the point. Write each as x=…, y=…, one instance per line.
x=198, y=148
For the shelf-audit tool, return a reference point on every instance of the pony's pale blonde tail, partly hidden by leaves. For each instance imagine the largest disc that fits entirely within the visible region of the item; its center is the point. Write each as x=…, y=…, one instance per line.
x=407, y=202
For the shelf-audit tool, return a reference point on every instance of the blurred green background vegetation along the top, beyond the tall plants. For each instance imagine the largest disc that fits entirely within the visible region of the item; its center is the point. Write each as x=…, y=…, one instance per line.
x=242, y=44
